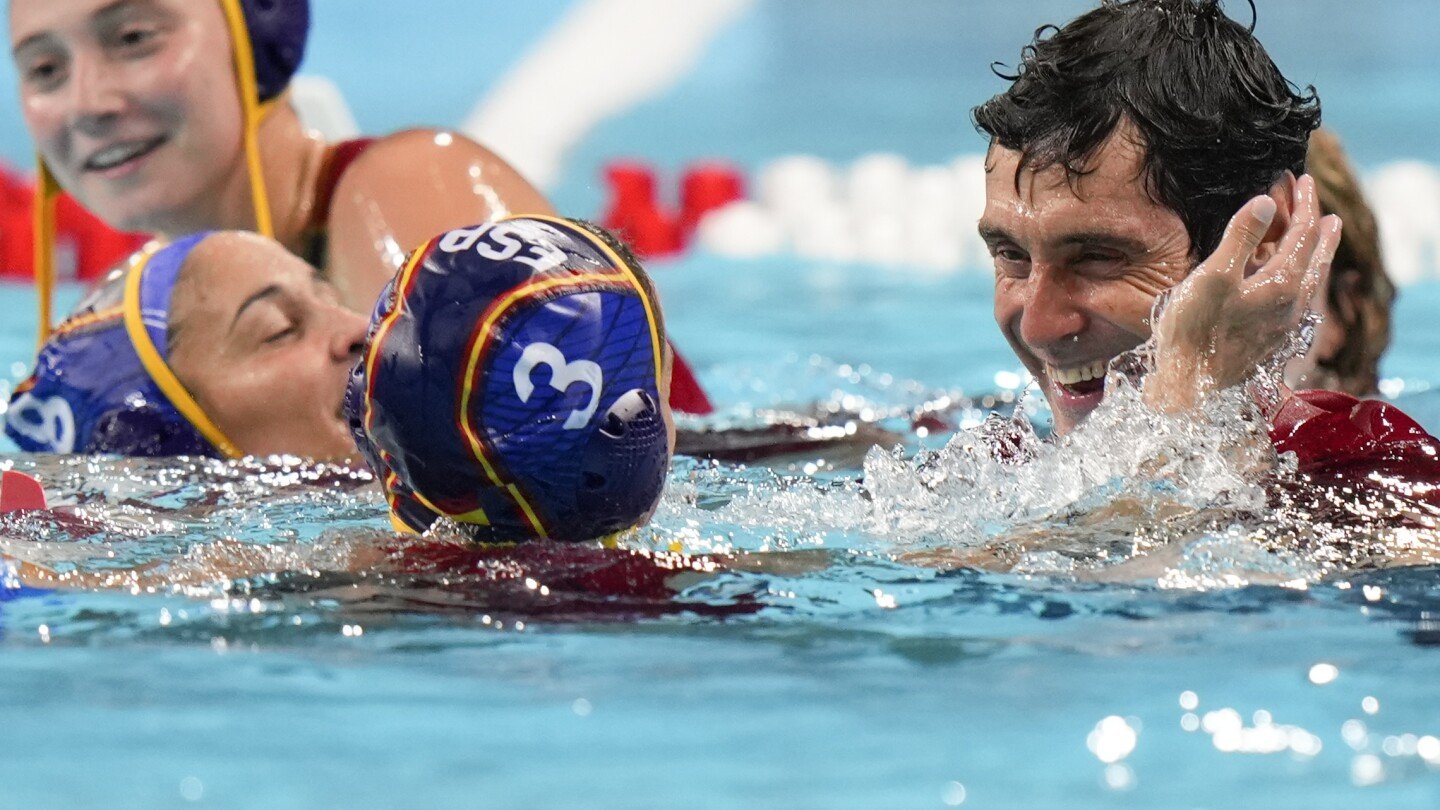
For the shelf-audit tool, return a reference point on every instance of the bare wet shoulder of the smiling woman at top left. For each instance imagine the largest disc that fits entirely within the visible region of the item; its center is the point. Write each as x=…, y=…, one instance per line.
x=405, y=190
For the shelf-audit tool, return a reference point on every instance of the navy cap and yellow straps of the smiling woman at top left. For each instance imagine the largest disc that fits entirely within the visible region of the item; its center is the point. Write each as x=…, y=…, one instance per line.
x=270, y=43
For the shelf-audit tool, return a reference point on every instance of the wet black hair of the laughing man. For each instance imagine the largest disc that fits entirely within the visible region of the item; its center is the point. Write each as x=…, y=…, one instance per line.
x=1218, y=122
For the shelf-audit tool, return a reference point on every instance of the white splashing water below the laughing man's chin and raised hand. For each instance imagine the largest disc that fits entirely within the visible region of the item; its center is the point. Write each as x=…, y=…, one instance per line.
x=1131, y=495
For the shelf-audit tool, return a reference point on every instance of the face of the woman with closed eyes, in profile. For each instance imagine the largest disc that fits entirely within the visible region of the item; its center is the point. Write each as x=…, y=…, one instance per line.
x=264, y=348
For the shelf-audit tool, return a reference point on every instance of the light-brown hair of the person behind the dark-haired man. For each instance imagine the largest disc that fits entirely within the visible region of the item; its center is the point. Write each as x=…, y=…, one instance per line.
x=1360, y=290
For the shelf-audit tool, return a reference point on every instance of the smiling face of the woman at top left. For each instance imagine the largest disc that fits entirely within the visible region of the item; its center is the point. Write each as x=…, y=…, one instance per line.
x=133, y=104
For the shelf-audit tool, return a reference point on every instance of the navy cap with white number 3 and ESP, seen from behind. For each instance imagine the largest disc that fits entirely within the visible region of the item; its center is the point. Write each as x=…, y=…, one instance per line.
x=513, y=381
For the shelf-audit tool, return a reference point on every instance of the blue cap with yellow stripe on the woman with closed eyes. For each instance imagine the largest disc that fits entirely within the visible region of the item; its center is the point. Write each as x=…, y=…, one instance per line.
x=103, y=381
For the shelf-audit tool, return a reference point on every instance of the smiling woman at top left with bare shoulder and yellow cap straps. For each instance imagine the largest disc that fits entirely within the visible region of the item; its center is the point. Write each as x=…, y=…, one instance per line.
x=172, y=117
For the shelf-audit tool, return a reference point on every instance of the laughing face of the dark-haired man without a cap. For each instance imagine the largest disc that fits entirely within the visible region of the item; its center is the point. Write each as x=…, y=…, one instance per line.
x=1079, y=263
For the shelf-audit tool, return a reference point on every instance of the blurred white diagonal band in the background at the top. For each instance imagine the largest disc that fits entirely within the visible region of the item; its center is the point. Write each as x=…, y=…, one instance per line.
x=601, y=60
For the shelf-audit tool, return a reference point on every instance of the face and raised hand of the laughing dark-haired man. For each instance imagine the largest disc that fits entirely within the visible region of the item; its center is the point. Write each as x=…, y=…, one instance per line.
x=1081, y=263
